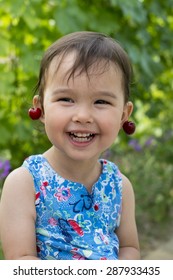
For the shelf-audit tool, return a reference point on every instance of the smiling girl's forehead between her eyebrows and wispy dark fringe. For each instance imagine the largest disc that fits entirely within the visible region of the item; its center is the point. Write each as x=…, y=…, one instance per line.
x=100, y=78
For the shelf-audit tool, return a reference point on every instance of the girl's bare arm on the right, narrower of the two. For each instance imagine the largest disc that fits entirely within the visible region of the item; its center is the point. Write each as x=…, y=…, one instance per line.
x=127, y=232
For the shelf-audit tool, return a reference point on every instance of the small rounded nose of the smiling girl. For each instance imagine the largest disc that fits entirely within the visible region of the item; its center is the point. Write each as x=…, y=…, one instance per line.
x=82, y=114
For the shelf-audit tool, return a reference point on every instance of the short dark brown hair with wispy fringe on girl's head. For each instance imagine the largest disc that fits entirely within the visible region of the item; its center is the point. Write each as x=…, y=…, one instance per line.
x=91, y=48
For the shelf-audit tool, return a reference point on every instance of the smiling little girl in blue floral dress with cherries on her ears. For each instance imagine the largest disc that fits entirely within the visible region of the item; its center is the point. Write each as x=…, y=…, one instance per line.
x=67, y=203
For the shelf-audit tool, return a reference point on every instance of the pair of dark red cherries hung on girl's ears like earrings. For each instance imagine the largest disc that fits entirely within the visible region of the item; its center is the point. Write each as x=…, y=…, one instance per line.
x=128, y=126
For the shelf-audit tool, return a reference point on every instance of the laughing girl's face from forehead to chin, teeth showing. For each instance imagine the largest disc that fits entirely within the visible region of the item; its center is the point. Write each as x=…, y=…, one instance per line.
x=83, y=116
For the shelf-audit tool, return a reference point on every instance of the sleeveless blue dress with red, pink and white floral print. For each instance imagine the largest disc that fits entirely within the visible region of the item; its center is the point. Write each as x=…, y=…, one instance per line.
x=71, y=223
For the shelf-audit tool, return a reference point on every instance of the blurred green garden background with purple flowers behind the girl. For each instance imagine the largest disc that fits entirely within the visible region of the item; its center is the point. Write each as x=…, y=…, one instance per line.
x=145, y=29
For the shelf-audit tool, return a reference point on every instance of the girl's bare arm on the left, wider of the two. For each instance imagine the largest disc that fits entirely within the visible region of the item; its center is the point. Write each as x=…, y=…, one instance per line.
x=17, y=216
